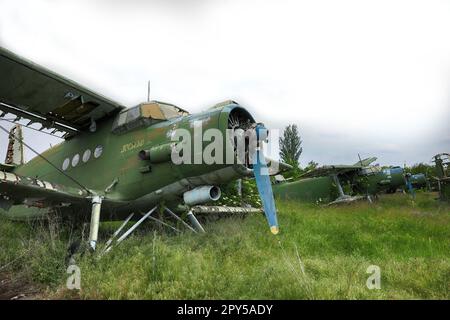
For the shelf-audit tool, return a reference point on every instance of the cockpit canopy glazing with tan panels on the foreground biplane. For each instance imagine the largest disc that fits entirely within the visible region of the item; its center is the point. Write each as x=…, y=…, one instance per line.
x=146, y=114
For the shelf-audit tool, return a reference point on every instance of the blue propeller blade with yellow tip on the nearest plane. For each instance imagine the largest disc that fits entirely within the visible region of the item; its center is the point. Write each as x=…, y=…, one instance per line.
x=261, y=172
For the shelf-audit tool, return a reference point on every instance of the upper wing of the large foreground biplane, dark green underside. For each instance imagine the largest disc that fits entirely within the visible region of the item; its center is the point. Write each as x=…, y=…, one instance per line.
x=32, y=92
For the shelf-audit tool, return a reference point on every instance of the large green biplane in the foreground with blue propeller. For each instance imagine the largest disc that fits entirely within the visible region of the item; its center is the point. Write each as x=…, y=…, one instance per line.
x=117, y=163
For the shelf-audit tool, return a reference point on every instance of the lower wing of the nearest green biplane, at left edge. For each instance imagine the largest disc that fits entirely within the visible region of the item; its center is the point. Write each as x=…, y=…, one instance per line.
x=18, y=190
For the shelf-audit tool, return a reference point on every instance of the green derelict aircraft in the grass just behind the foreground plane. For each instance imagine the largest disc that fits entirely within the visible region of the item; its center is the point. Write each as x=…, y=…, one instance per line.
x=325, y=184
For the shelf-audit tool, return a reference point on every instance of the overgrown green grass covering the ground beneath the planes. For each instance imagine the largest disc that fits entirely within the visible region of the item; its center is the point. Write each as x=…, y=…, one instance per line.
x=321, y=253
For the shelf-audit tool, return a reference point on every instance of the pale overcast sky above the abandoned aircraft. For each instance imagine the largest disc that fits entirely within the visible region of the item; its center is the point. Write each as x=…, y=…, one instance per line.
x=368, y=77
